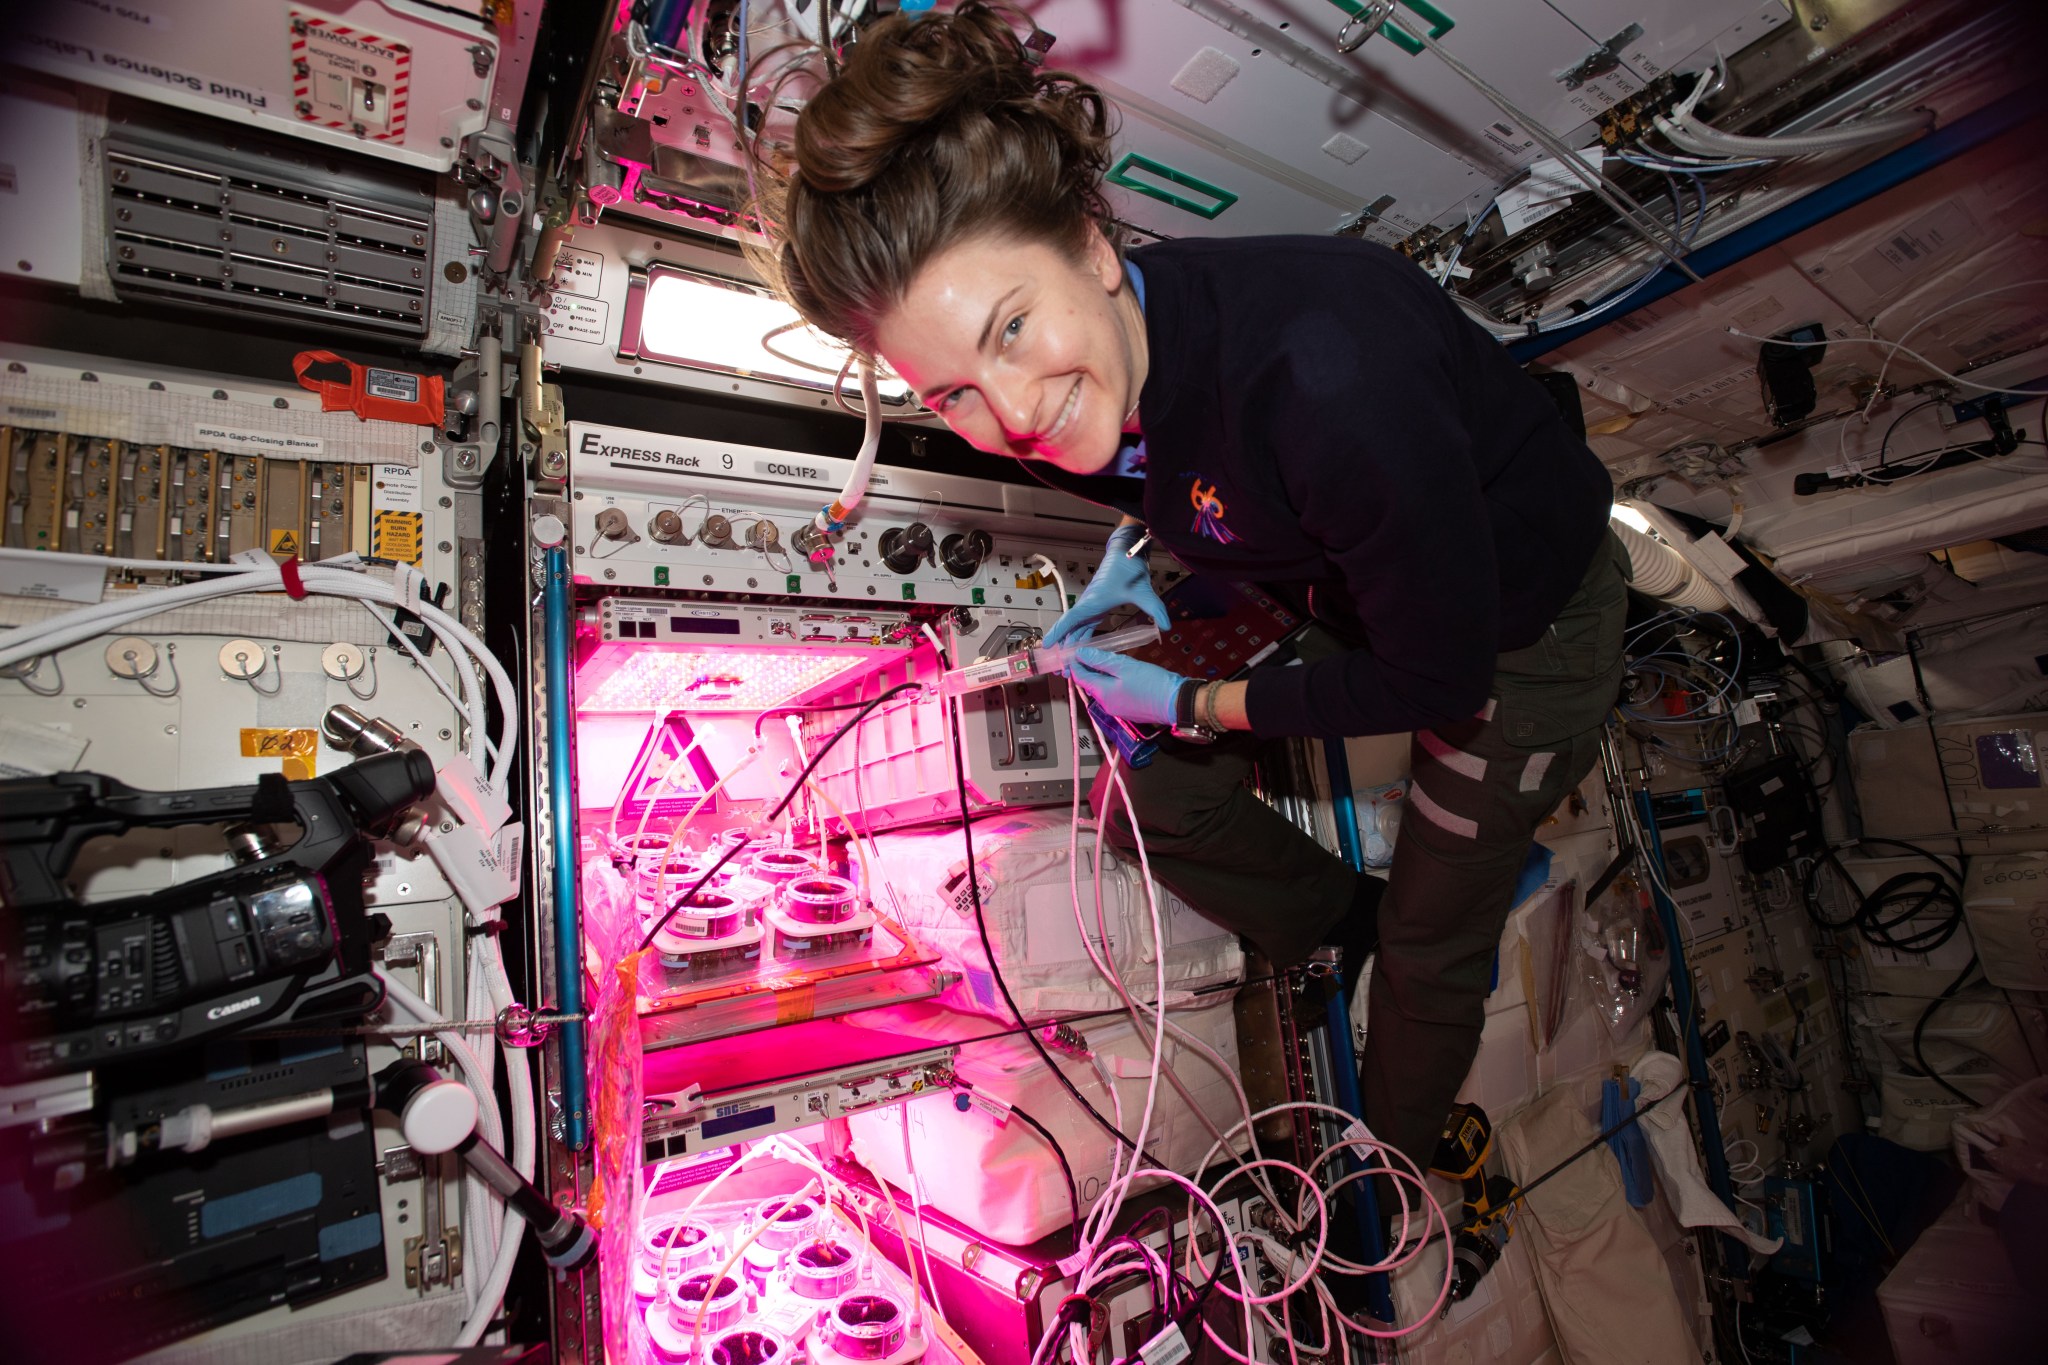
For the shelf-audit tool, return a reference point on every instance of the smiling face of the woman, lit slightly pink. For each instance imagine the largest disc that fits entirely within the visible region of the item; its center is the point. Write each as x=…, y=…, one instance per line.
x=1023, y=349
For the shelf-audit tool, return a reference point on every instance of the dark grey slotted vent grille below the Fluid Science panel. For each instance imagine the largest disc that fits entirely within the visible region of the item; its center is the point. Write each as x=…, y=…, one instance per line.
x=251, y=243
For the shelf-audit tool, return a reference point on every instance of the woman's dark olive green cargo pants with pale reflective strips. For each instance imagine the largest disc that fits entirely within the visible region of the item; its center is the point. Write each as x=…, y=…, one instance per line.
x=1480, y=789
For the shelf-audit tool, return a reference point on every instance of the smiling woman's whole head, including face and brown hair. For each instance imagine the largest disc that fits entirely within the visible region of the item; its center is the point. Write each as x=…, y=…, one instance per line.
x=943, y=208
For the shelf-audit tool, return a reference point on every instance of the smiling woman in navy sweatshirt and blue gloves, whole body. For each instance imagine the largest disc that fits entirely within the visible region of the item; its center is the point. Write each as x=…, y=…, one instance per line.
x=1308, y=414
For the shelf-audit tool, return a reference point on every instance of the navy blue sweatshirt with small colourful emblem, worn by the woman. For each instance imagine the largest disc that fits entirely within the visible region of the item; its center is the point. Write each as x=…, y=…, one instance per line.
x=1318, y=410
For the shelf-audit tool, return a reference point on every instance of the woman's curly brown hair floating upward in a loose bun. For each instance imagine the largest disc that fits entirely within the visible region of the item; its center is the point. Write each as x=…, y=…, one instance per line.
x=935, y=132
